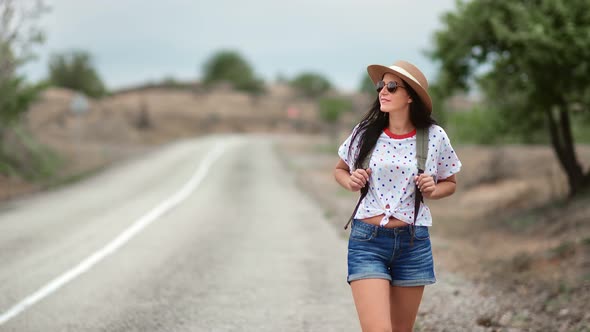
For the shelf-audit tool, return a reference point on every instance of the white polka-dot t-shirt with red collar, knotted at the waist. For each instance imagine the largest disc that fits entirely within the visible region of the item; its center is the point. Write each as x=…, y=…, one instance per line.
x=394, y=166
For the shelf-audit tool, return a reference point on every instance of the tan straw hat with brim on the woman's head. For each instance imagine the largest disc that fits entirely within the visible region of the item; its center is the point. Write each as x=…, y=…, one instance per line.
x=409, y=73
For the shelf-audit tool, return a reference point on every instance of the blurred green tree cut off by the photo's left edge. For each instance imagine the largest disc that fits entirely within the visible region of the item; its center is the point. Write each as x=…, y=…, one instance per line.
x=19, y=34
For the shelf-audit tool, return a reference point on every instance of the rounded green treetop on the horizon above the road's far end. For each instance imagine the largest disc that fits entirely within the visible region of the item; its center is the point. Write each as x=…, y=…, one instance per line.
x=230, y=66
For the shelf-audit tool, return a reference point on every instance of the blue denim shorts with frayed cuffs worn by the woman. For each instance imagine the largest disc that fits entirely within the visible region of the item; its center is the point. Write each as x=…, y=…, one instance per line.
x=385, y=253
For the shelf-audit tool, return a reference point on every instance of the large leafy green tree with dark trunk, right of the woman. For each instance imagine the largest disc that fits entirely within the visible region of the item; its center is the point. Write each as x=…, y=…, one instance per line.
x=535, y=59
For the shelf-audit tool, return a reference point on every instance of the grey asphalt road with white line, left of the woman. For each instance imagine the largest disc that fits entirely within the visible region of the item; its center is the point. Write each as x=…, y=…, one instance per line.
x=202, y=235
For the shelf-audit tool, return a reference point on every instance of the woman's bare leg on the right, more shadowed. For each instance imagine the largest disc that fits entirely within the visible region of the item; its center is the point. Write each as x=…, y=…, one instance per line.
x=404, y=303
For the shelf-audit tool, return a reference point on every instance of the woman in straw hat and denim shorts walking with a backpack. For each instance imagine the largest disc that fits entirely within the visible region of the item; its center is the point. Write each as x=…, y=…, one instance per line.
x=389, y=253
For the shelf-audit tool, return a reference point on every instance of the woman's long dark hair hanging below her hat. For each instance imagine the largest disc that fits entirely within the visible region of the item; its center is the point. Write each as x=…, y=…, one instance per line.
x=375, y=121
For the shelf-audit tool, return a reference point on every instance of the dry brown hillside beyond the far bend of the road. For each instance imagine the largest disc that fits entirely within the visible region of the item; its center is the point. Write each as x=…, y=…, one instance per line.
x=133, y=121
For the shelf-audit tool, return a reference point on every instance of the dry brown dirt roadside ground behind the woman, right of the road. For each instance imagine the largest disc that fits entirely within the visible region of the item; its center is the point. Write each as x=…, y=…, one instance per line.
x=507, y=228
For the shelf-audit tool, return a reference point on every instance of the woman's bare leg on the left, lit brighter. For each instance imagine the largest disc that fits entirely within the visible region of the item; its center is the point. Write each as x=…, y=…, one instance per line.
x=371, y=298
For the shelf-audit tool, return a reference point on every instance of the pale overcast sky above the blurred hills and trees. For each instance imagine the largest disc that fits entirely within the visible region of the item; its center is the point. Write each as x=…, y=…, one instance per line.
x=133, y=41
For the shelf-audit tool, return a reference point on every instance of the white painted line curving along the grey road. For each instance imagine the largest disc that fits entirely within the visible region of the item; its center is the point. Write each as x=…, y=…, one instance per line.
x=120, y=240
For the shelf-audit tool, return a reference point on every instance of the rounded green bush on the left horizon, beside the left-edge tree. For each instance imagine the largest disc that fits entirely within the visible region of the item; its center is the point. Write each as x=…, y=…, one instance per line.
x=75, y=70
